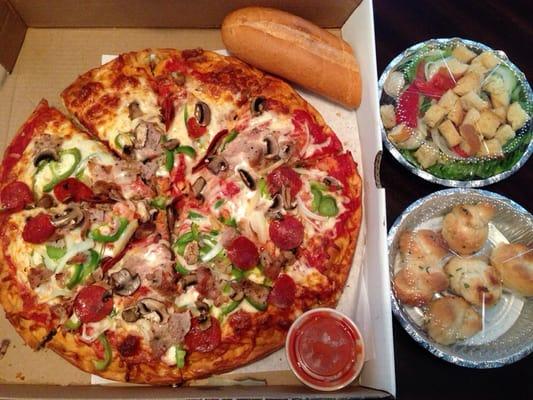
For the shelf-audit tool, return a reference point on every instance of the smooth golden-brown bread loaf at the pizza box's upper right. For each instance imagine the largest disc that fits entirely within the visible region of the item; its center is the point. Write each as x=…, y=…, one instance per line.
x=295, y=49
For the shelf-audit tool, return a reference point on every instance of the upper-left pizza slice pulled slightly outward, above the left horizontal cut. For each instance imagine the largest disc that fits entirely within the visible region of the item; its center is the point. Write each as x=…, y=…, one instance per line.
x=50, y=161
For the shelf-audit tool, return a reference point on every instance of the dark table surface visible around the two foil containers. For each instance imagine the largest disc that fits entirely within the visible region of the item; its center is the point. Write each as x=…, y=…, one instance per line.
x=504, y=25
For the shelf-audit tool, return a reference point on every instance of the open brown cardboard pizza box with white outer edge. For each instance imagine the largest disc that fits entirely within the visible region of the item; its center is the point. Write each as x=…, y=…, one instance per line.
x=45, y=45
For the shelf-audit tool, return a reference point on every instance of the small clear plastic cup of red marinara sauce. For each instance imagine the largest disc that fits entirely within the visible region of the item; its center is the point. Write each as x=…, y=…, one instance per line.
x=325, y=349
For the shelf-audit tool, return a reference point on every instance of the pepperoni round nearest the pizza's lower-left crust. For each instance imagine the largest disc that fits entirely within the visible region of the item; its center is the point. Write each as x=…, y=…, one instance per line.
x=93, y=304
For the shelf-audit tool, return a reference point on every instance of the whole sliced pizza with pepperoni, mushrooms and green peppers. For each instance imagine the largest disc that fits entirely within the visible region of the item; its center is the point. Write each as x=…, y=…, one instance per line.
x=176, y=226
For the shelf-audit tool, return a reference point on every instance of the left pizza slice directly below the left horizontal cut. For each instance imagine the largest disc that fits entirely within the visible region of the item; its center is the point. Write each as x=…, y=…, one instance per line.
x=49, y=253
